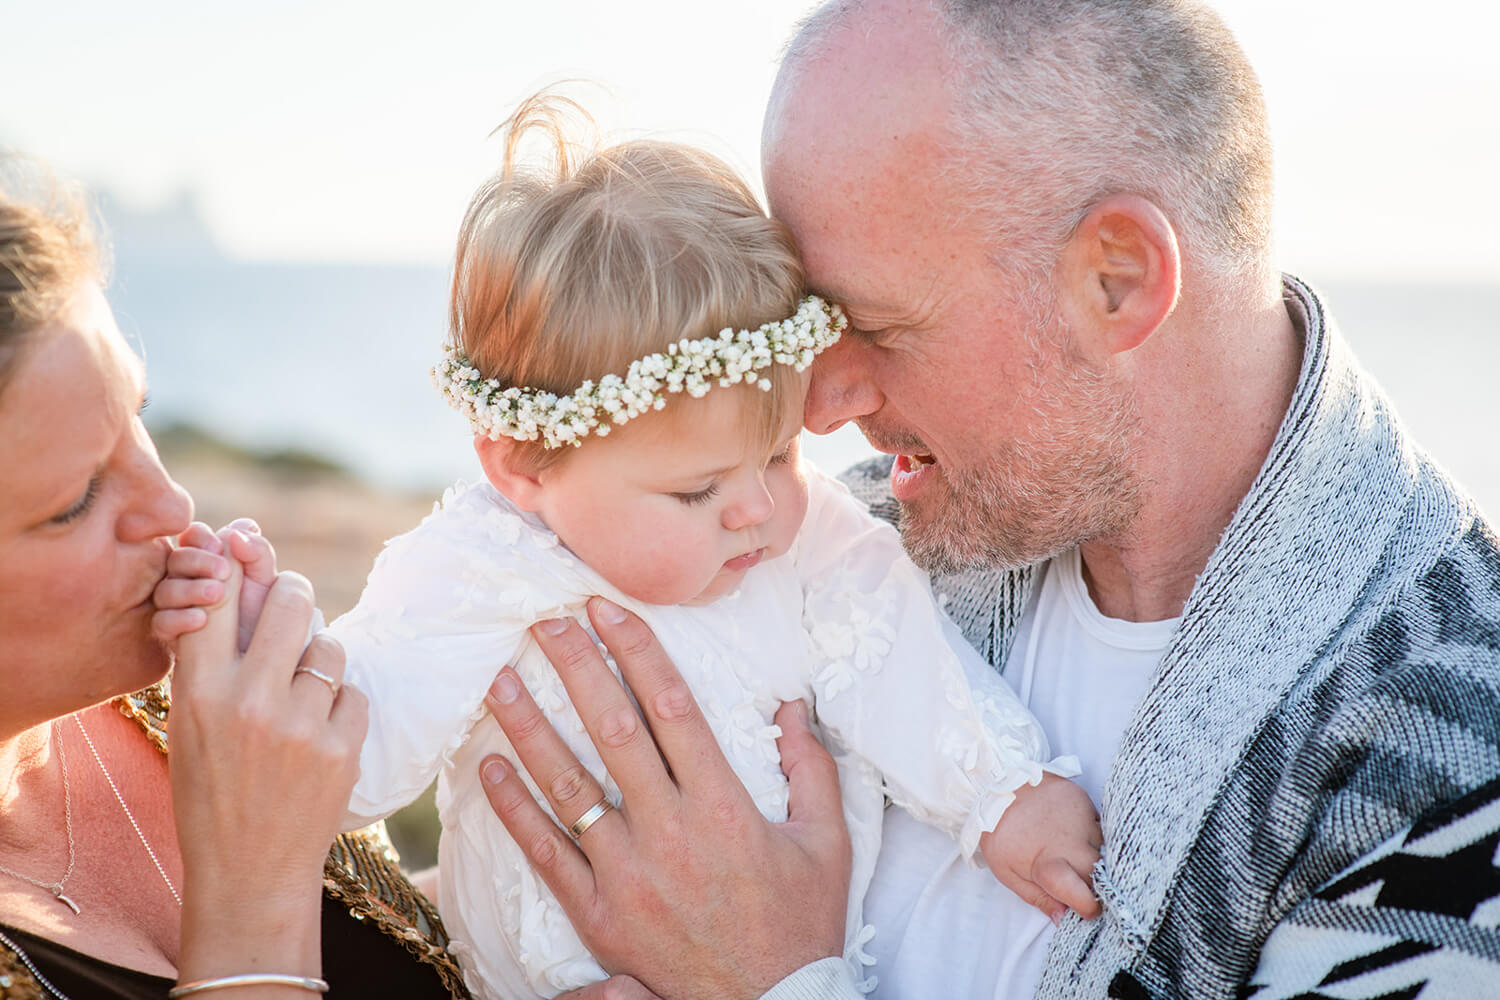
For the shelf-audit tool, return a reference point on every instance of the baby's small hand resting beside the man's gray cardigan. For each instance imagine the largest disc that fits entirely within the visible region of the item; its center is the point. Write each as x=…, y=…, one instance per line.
x=1045, y=848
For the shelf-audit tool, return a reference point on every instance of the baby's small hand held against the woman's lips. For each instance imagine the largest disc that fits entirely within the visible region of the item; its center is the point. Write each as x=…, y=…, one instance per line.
x=196, y=573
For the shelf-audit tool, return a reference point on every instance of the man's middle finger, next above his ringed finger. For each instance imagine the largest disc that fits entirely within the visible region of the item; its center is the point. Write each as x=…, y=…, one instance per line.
x=613, y=723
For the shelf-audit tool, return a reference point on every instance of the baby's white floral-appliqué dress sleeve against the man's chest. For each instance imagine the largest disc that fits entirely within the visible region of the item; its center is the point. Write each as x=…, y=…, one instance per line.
x=898, y=684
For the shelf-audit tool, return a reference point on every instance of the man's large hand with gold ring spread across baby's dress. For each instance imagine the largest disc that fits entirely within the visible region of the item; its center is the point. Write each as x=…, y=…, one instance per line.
x=686, y=887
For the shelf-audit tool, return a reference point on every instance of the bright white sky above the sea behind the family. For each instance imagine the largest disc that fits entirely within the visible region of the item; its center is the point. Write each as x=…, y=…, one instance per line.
x=322, y=131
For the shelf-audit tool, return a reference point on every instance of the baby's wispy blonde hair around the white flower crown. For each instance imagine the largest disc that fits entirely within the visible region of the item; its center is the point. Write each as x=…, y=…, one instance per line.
x=608, y=254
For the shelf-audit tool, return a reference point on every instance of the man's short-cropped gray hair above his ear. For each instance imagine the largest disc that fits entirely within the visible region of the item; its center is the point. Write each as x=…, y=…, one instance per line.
x=1064, y=103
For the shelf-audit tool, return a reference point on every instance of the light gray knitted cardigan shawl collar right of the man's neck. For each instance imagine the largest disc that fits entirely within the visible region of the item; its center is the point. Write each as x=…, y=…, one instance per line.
x=1310, y=548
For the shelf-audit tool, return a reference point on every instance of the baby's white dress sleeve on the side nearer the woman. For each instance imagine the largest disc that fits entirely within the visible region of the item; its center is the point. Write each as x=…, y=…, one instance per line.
x=446, y=606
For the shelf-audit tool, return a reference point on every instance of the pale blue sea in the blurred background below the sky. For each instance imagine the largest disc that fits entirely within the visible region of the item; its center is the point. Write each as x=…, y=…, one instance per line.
x=335, y=359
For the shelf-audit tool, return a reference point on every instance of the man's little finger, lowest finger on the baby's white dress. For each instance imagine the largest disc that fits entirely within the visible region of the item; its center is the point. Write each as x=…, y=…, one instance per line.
x=553, y=855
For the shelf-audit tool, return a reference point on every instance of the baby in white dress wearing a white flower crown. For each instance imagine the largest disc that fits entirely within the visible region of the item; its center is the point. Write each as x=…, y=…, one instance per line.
x=629, y=344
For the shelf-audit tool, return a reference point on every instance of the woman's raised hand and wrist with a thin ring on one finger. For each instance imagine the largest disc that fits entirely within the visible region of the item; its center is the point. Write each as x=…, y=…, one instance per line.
x=265, y=753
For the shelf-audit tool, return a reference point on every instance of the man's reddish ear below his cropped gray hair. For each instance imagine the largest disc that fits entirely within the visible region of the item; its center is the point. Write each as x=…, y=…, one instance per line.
x=1121, y=275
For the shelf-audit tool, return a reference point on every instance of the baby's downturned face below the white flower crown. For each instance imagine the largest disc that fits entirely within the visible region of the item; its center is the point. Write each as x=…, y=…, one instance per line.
x=677, y=507
